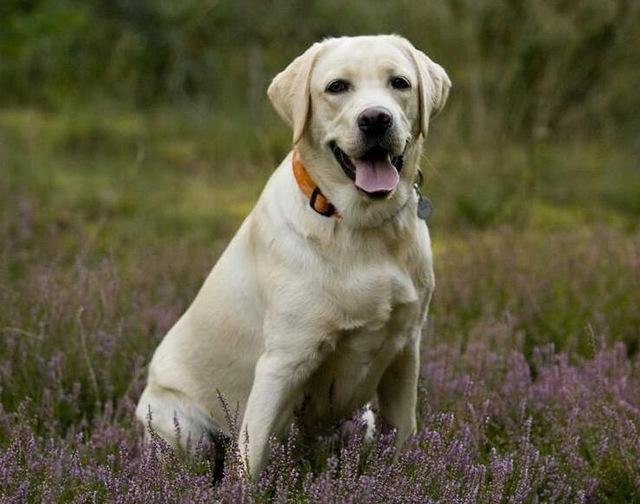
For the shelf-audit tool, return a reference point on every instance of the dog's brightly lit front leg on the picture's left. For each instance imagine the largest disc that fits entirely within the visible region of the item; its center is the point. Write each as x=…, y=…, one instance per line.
x=280, y=375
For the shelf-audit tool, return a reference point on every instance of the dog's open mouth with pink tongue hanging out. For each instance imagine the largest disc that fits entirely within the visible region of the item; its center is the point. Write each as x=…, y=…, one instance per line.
x=376, y=173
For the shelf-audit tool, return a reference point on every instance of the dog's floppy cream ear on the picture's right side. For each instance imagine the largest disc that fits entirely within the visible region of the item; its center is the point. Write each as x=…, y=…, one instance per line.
x=434, y=84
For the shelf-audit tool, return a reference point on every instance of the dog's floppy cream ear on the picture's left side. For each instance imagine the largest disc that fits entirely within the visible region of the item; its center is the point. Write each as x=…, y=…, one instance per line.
x=289, y=91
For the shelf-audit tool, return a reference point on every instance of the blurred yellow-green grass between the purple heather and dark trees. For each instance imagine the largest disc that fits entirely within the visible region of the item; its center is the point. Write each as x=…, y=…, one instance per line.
x=545, y=233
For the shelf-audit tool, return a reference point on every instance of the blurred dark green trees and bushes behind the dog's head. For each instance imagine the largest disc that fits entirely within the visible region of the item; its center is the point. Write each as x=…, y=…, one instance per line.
x=520, y=68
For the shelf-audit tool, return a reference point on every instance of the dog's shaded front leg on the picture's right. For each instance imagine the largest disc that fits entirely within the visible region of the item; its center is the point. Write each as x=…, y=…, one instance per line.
x=398, y=391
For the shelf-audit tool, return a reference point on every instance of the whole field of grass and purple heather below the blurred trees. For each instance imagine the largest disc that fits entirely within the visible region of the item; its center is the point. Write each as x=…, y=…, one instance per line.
x=111, y=220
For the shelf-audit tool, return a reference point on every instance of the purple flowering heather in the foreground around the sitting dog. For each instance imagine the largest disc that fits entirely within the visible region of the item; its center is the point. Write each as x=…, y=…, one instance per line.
x=500, y=419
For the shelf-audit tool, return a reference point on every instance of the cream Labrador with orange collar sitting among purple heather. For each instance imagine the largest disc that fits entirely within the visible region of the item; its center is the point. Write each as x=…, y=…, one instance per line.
x=317, y=304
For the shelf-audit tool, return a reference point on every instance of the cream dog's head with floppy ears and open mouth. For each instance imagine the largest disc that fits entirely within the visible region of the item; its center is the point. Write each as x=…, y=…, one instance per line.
x=357, y=106
